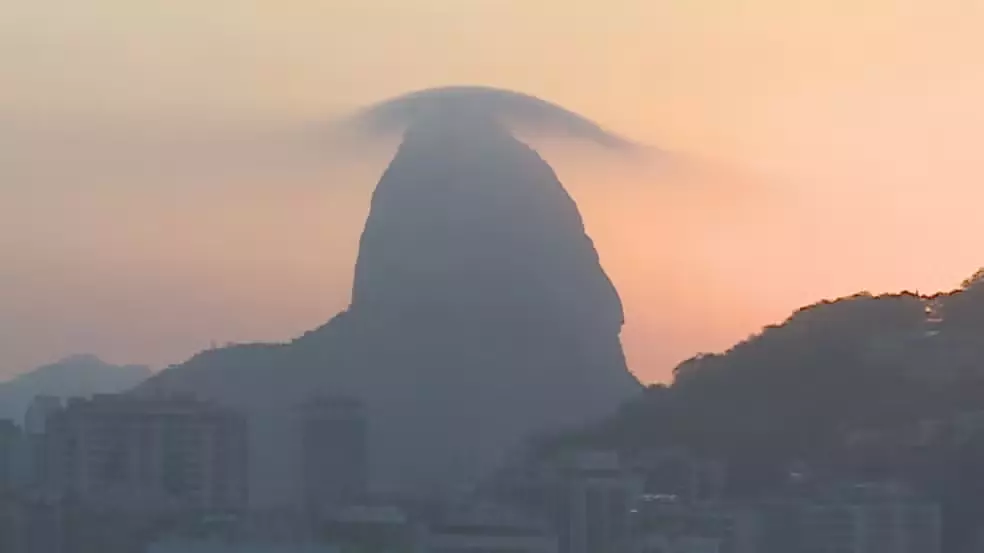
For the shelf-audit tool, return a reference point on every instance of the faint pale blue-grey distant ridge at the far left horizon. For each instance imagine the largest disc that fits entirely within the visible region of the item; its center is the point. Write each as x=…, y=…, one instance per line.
x=76, y=375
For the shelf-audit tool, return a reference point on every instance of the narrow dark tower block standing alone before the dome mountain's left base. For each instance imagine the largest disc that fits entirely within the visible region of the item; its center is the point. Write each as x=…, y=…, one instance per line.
x=334, y=452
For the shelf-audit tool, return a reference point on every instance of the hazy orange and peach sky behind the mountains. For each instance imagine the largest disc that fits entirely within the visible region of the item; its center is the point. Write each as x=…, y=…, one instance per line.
x=153, y=202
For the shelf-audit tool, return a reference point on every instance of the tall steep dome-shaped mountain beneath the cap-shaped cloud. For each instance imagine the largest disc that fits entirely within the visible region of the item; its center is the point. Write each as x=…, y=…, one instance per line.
x=480, y=315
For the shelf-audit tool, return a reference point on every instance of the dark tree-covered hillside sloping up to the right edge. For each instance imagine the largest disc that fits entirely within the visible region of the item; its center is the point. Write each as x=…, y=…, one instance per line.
x=860, y=388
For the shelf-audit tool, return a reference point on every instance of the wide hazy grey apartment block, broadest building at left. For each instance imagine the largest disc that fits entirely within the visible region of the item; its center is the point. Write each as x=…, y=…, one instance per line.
x=153, y=453
